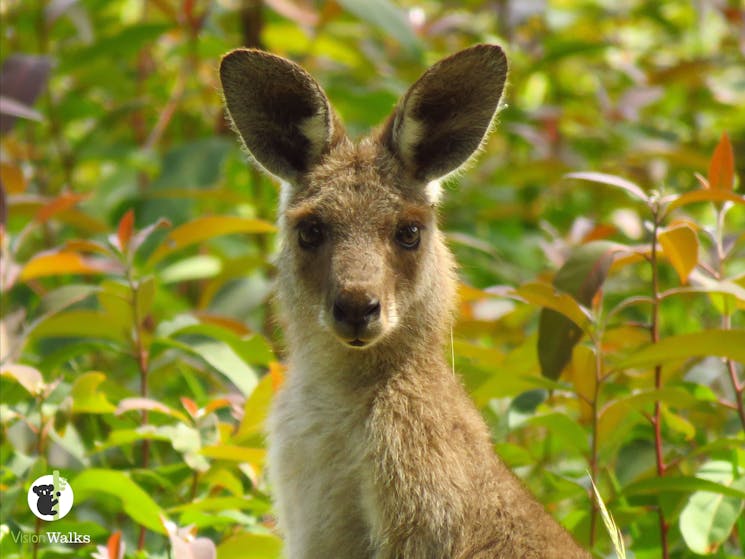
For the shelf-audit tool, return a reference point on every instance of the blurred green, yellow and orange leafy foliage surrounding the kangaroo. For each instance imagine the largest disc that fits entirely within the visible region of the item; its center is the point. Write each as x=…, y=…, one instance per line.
x=139, y=360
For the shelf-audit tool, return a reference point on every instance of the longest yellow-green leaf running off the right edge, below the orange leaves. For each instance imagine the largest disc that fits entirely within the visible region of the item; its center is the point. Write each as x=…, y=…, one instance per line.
x=717, y=343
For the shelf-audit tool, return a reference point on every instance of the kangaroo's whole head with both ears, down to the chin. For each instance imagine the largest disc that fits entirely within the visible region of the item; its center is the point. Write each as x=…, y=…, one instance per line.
x=362, y=259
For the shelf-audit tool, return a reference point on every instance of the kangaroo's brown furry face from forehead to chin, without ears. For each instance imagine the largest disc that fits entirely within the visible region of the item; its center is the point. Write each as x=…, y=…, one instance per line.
x=358, y=239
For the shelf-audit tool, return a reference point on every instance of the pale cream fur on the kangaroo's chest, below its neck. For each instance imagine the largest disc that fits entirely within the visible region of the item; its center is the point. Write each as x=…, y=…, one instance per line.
x=318, y=466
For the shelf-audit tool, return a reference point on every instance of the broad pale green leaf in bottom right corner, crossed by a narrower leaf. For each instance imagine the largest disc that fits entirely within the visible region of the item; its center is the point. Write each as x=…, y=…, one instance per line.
x=708, y=518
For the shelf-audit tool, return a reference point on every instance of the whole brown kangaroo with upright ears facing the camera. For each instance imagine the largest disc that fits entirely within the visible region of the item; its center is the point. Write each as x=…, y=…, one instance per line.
x=375, y=449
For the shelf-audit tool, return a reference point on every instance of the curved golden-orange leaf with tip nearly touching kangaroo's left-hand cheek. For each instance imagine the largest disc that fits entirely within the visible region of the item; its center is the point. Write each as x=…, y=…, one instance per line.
x=208, y=227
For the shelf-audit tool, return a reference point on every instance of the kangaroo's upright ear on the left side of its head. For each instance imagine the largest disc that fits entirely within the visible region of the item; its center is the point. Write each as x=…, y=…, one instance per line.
x=280, y=112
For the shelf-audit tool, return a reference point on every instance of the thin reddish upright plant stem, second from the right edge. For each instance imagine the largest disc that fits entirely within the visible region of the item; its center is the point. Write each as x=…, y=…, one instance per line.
x=657, y=419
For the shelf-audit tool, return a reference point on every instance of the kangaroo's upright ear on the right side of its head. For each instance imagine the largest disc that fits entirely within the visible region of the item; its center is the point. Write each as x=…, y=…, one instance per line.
x=443, y=118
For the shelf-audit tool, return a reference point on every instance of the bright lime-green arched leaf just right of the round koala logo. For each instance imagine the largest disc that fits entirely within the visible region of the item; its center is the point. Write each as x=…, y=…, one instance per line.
x=135, y=501
